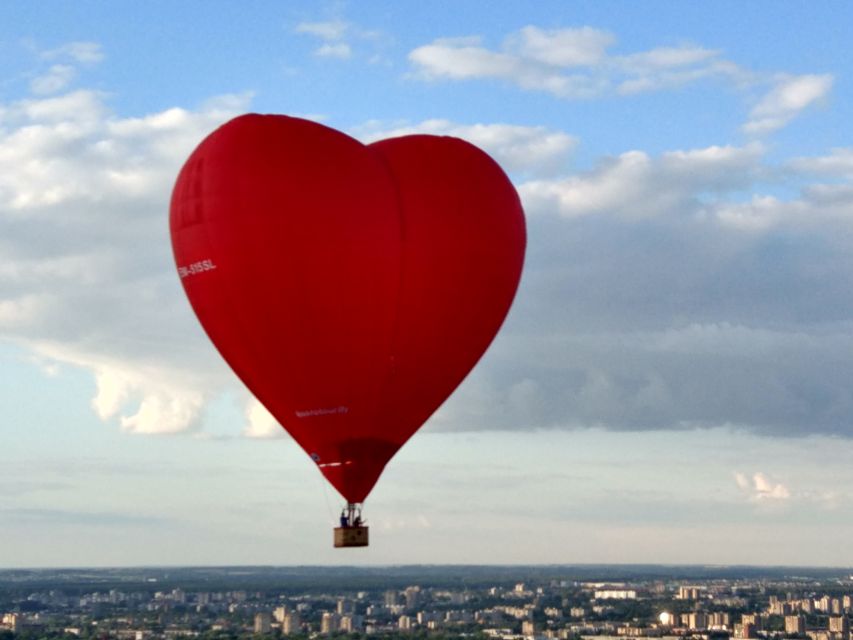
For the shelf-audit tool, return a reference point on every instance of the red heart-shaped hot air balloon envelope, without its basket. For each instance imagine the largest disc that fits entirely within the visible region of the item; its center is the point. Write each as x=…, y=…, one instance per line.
x=351, y=287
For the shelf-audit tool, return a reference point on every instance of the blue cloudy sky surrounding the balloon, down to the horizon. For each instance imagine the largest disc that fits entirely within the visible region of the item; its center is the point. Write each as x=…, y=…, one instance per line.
x=674, y=383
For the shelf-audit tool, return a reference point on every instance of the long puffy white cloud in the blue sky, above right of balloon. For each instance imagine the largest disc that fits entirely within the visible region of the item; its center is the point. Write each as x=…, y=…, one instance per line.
x=570, y=63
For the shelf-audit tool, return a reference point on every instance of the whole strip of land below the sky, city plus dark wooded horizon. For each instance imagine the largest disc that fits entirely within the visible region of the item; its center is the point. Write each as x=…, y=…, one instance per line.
x=499, y=603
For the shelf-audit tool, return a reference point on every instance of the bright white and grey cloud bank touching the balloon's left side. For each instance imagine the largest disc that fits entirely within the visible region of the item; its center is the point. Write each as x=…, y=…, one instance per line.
x=86, y=276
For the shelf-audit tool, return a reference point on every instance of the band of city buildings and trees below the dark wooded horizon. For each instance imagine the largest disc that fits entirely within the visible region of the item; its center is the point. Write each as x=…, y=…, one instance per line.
x=547, y=609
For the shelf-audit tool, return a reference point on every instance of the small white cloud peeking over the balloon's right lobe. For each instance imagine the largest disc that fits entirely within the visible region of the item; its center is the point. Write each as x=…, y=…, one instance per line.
x=518, y=149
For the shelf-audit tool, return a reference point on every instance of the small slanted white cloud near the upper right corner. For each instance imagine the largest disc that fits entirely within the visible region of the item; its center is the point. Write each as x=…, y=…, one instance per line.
x=788, y=98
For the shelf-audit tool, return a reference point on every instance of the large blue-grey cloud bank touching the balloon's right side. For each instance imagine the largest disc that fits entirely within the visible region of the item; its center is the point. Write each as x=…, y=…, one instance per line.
x=673, y=292
